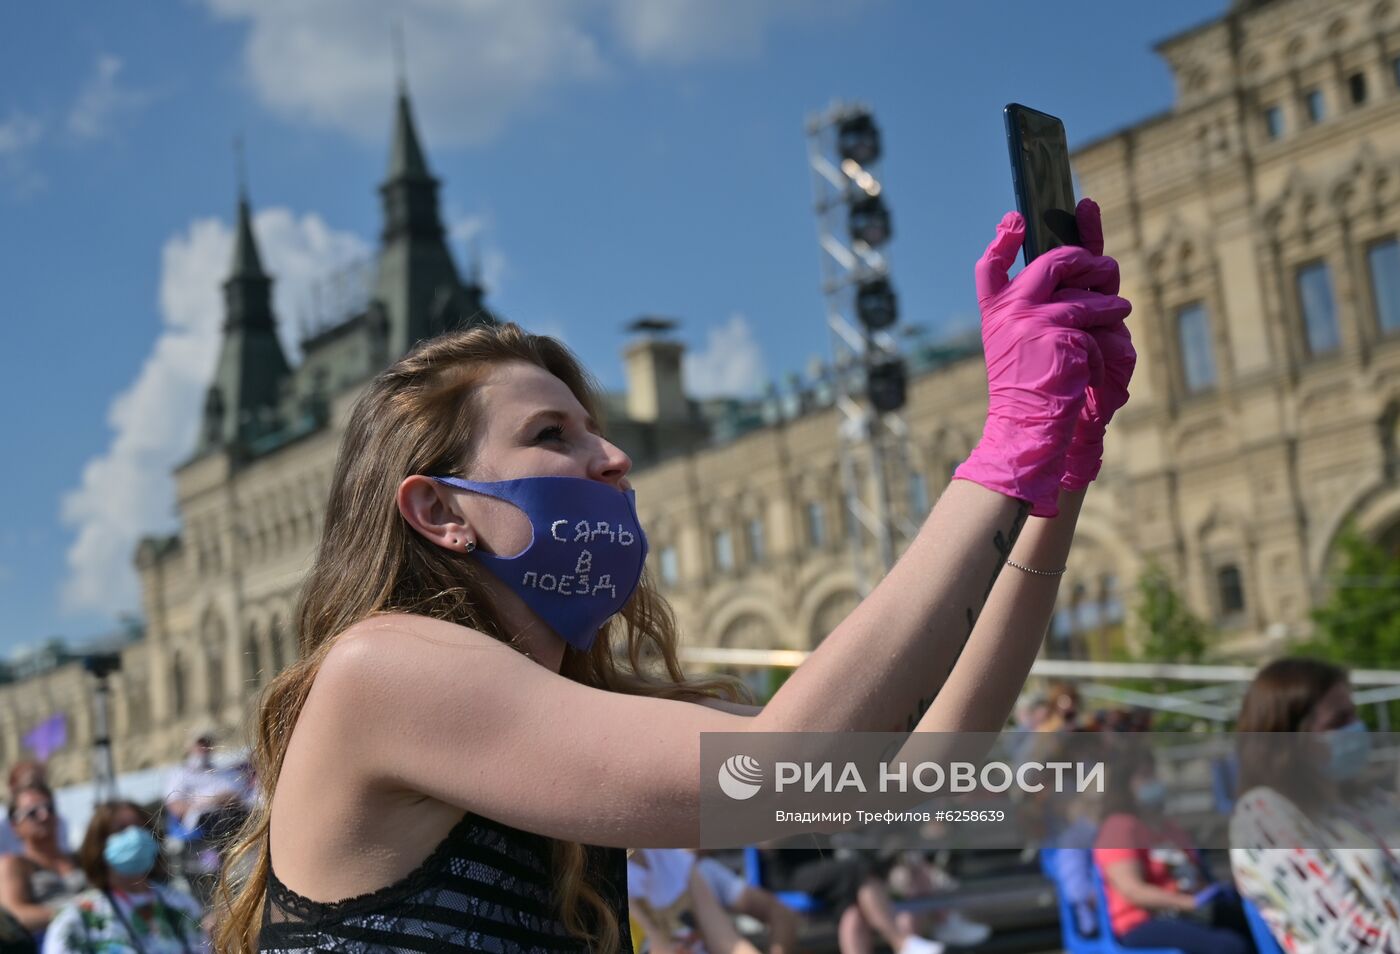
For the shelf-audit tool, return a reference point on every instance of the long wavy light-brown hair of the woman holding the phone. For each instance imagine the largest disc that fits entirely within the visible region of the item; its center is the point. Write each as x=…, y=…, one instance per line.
x=419, y=418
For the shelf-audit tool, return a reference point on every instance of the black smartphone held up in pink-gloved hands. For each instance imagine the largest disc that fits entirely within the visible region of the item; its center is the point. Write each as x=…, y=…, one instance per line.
x=1041, y=177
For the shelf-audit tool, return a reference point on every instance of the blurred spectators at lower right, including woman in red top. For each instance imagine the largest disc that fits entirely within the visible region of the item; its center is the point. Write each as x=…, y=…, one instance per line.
x=1311, y=851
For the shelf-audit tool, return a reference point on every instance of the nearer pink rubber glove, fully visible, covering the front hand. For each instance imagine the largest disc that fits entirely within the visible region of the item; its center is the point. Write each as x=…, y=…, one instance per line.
x=1041, y=358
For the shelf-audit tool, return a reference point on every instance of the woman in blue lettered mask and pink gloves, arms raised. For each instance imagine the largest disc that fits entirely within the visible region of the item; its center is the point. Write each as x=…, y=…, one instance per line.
x=488, y=708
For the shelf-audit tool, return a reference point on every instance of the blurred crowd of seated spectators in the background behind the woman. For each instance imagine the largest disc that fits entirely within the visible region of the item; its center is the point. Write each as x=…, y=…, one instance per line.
x=114, y=893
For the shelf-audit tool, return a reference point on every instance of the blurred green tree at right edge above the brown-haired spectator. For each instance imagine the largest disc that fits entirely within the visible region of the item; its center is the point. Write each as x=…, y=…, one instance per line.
x=1359, y=624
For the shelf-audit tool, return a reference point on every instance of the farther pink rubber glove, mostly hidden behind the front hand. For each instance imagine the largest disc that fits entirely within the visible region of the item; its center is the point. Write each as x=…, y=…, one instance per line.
x=1102, y=400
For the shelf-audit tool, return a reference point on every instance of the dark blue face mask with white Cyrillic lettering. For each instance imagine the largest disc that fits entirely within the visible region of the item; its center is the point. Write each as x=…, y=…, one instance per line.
x=586, y=558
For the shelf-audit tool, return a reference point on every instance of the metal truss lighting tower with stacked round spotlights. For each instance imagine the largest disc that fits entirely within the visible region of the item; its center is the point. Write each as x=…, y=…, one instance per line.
x=869, y=373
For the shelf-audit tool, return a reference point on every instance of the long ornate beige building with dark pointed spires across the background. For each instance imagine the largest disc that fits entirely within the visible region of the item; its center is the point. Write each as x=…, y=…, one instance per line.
x=1256, y=223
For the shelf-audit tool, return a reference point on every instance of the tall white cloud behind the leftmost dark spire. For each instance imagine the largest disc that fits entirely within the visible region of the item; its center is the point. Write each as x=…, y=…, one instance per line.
x=128, y=491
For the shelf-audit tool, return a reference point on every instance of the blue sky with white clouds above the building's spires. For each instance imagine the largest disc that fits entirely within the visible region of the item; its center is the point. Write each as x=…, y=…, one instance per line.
x=608, y=158
